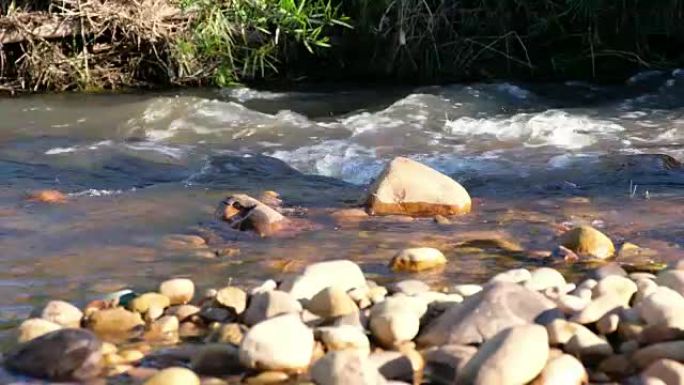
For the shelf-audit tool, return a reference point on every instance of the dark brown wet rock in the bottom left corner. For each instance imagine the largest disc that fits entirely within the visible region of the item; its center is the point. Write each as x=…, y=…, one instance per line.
x=62, y=355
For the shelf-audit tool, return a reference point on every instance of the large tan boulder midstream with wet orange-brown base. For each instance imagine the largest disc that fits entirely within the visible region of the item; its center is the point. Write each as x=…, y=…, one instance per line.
x=407, y=187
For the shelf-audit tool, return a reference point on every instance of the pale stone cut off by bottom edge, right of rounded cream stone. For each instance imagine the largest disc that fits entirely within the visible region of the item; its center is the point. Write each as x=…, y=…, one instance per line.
x=346, y=368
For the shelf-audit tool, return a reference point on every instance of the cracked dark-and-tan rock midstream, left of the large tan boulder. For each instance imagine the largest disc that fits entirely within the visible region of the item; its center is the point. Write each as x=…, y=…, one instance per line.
x=245, y=213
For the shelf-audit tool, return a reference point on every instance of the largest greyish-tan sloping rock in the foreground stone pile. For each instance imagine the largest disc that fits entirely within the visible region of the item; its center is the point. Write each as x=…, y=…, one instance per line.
x=485, y=314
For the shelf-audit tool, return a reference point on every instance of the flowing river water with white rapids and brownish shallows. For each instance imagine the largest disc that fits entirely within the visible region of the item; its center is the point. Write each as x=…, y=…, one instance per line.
x=137, y=168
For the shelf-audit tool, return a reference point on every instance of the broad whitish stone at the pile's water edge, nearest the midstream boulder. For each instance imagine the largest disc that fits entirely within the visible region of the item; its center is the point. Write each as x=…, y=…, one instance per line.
x=343, y=274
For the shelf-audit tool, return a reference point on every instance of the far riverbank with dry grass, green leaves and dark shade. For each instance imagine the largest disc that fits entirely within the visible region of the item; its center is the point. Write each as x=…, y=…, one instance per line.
x=108, y=44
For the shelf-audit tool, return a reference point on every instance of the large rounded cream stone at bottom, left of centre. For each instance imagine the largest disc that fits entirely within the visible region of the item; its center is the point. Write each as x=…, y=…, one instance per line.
x=282, y=343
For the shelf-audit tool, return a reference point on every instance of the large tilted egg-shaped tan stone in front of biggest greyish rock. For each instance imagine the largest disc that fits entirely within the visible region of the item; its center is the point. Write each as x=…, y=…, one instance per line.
x=515, y=356
